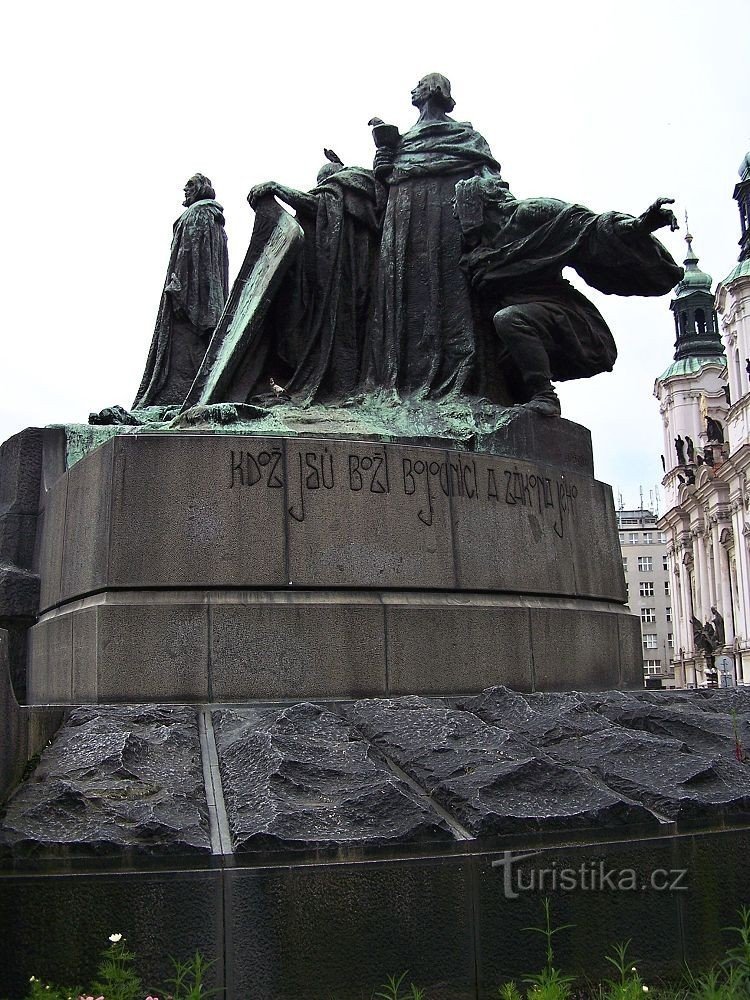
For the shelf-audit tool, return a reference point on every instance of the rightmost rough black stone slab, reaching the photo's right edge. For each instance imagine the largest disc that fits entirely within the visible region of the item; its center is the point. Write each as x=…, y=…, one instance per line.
x=674, y=752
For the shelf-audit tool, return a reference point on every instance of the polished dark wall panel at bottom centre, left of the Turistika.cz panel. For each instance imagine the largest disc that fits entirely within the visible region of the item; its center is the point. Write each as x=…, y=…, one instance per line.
x=346, y=928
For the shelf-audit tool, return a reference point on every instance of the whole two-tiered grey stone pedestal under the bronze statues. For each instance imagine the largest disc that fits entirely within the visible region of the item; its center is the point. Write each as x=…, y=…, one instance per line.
x=218, y=567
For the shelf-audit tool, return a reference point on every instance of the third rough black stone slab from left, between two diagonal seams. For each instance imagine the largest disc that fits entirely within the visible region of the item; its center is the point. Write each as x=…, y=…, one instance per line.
x=488, y=777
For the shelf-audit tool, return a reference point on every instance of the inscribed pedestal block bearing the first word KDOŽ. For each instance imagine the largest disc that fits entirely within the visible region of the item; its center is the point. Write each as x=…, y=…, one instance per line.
x=198, y=511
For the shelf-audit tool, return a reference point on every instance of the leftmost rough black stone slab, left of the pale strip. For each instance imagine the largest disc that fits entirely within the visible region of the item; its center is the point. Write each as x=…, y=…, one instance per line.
x=114, y=779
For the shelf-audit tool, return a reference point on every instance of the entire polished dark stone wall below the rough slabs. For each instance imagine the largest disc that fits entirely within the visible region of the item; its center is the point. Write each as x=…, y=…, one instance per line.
x=329, y=928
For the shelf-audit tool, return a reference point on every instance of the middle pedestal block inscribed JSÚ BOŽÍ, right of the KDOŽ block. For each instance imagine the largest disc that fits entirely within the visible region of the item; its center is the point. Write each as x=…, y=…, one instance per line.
x=362, y=515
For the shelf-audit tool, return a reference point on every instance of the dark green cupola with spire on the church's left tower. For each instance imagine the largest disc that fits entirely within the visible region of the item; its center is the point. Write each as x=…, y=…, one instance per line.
x=696, y=329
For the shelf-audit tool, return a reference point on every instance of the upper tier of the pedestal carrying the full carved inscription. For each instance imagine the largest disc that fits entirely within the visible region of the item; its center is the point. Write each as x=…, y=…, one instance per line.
x=172, y=509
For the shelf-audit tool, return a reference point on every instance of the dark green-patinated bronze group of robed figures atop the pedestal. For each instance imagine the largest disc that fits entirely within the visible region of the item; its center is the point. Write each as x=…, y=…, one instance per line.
x=423, y=278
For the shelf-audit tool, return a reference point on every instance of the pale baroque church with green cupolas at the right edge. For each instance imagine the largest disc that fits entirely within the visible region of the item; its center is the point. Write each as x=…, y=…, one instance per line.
x=704, y=401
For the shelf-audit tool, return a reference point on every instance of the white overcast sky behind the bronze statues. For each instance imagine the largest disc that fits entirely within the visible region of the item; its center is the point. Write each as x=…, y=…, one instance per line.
x=108, y=109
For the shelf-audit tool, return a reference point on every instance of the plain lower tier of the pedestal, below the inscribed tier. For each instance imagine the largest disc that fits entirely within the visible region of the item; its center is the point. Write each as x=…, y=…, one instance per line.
x=239, y=646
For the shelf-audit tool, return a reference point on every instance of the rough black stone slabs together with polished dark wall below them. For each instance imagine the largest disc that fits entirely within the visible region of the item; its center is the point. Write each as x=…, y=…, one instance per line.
x=353, y=841
